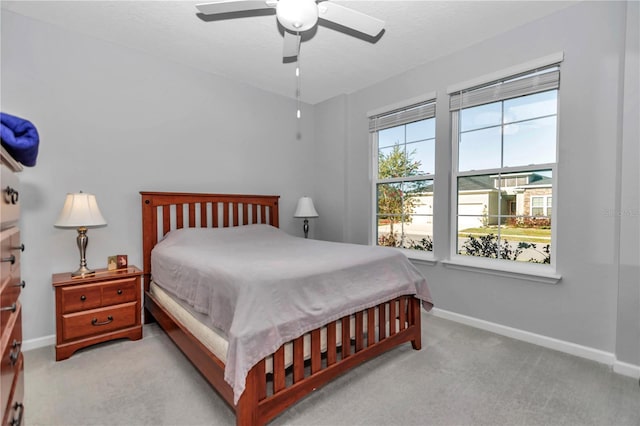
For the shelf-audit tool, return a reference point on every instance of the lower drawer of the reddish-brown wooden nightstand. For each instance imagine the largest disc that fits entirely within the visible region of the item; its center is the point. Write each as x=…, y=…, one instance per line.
x=98, y=321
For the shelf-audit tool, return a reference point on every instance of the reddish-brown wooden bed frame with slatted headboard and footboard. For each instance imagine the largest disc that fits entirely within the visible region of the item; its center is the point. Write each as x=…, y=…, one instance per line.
x=267, y=394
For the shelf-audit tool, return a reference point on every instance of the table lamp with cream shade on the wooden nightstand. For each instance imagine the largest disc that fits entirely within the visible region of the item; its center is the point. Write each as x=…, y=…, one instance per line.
x=81, y=211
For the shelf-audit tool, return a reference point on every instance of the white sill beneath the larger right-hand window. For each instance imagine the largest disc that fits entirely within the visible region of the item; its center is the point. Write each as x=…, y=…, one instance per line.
x=531, y=272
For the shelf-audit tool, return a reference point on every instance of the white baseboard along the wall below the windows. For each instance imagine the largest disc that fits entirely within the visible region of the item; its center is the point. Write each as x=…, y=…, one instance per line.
x=603, y=357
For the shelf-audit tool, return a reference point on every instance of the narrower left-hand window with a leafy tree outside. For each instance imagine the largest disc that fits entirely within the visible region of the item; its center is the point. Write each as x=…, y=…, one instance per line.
x=404, y=166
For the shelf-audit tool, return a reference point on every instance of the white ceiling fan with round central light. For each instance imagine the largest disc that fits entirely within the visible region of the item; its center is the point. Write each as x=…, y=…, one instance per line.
x=298, y=16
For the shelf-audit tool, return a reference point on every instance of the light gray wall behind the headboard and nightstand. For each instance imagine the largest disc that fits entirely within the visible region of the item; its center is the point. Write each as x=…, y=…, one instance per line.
x=113, y=122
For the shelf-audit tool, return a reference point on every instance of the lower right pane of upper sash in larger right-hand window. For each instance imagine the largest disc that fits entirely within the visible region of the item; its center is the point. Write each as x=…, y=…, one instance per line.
x=530, y=142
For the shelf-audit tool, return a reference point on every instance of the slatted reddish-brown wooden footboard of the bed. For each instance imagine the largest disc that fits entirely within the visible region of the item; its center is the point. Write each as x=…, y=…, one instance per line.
x=267, y=395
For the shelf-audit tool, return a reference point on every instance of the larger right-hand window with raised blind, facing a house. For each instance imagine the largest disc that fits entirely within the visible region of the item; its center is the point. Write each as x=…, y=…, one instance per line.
x=504, y=159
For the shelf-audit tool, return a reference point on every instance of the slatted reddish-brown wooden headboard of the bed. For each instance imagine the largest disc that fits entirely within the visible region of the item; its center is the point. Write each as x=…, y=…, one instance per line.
x=164, y=211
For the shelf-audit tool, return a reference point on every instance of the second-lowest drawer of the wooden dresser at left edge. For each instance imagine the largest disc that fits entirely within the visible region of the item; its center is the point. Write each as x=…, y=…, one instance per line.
x=11, y=354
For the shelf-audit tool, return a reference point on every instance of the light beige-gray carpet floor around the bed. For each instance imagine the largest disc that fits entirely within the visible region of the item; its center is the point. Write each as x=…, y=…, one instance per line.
x=462, y=376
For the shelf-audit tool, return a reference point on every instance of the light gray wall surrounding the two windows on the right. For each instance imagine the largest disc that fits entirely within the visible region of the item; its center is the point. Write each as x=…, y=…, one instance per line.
x=596, y=302
